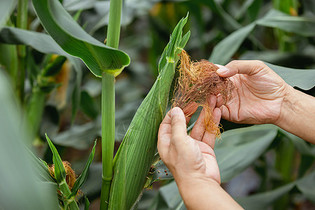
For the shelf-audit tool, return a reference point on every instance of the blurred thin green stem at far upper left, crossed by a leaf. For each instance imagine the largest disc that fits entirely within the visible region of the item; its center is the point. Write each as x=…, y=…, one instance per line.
x=21, y=23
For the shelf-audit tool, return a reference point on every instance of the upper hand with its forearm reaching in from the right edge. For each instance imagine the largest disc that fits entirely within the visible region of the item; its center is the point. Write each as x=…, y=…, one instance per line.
x=261, y=96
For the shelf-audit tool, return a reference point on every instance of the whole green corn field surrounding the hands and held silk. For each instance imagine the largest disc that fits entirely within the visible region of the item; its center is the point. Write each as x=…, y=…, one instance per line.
x=85, y=84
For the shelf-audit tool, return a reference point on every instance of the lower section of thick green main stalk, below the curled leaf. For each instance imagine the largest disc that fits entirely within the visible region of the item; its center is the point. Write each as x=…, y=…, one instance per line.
x=108, y=134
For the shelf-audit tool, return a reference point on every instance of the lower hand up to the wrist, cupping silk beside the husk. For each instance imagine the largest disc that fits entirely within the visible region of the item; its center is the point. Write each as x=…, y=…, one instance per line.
x=189, y=157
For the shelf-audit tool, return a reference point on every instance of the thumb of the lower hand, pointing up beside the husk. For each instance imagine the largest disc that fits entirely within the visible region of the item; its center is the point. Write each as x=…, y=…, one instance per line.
x=178, y=123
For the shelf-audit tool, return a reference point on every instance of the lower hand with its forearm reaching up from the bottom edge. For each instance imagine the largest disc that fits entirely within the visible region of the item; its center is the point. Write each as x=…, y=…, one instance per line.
x=192, y=161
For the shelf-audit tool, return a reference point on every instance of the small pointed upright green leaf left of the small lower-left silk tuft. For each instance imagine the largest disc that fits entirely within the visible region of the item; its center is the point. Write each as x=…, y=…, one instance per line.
x=60, y=173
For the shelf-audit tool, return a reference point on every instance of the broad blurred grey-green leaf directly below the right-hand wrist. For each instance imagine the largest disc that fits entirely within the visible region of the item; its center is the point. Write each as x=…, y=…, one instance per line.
x=239, y=148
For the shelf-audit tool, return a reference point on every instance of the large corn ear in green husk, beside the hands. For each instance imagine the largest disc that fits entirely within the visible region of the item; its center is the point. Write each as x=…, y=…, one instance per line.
x=136, y=153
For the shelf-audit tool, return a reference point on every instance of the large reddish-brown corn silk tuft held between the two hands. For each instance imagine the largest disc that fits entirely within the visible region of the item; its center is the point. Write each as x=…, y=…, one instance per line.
x=196, y=82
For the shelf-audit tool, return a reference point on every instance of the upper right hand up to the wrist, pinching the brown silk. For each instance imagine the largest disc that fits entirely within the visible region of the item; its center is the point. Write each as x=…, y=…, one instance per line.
x=258, y=94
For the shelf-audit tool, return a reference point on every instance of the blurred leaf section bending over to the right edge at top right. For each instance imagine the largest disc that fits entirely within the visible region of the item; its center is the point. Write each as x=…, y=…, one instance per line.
x=299, y=25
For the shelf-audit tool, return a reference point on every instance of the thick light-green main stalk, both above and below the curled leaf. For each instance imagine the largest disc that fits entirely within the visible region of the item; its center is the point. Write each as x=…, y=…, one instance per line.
x=108, y=105
